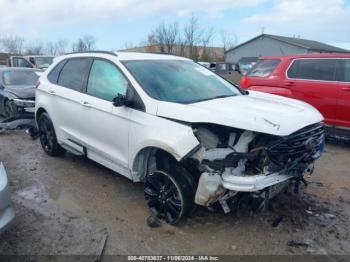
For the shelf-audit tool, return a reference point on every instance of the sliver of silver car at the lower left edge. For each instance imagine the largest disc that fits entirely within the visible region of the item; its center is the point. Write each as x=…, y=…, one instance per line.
x=7, y=213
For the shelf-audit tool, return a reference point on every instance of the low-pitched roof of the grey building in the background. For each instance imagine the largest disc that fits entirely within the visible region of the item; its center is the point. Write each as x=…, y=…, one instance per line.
x=305, y=43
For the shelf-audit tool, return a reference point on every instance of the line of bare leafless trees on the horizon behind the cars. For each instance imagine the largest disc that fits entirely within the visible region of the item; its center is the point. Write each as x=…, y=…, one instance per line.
x=191, y=40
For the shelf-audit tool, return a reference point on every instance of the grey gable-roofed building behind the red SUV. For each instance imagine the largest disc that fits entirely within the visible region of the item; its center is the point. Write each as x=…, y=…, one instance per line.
x=269, y=45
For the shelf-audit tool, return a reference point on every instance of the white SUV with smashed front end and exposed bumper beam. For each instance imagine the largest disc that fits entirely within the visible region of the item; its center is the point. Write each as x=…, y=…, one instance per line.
x=189, y=135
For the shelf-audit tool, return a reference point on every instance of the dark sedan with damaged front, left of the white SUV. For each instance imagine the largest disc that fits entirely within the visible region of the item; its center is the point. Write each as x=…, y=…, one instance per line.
x=17, y=90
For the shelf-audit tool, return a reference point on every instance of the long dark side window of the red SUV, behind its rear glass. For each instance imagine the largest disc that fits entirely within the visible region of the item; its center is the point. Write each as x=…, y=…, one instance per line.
x=313, y=69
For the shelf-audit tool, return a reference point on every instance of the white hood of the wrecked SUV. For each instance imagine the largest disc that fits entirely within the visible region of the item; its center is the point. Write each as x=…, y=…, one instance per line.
x=257, y=111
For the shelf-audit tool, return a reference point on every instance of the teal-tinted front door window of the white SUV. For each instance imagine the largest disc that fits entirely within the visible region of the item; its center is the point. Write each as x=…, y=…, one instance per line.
x=106, y=81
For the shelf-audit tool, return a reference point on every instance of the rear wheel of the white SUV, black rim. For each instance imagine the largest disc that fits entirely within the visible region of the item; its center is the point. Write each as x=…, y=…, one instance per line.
x=48, y=137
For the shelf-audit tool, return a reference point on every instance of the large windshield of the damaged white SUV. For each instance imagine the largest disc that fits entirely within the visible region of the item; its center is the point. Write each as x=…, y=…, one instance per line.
x=179, y=81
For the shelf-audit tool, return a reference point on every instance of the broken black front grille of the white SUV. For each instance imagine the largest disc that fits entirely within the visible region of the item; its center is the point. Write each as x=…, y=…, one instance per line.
x=305, y=140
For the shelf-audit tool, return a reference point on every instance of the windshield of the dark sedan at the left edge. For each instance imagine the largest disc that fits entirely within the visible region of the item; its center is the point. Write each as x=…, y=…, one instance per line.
x=20, y=77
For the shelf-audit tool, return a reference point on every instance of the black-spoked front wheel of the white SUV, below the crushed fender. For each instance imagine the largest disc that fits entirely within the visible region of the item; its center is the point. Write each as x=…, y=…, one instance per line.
x=169, y=195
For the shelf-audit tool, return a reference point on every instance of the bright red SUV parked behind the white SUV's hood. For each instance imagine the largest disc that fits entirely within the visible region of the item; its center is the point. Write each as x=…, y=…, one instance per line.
x=322, y=80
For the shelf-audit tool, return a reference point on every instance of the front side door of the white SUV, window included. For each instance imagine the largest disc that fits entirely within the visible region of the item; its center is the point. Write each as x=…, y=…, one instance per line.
x=105, y=128
